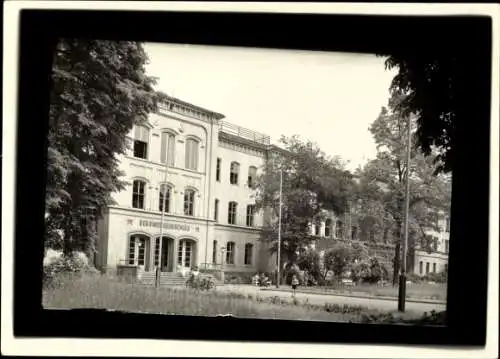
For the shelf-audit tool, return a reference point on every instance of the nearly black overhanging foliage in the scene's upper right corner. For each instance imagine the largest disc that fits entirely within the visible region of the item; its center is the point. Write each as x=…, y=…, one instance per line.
x=431, y=86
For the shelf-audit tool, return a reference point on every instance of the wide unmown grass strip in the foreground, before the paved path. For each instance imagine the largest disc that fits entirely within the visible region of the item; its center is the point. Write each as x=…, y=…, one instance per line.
x=104, y=292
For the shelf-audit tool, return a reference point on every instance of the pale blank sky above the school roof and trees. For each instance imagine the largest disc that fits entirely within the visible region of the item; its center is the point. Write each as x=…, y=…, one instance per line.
x=329, y=98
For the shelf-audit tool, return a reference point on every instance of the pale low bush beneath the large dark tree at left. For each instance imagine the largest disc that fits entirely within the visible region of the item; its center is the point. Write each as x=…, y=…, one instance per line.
x=76, y=264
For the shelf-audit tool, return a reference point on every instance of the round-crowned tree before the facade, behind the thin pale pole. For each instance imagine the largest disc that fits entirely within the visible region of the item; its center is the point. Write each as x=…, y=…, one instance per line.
x=312, y=183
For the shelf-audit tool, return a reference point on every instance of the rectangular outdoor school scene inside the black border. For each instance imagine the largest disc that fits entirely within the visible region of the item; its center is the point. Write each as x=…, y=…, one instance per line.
x=172, y=189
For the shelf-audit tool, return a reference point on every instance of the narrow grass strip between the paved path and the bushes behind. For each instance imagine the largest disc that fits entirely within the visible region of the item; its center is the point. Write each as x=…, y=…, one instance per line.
x=423, y=291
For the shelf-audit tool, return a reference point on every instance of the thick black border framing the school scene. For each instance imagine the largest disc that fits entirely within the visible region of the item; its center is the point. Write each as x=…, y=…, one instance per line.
x=421, y=36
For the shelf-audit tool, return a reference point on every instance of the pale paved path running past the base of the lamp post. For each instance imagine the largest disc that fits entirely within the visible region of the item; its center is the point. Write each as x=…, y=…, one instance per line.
x=321, y=299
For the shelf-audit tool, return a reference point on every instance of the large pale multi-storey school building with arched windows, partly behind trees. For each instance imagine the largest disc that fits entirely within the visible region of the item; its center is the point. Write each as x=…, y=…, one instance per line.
x=205, y=199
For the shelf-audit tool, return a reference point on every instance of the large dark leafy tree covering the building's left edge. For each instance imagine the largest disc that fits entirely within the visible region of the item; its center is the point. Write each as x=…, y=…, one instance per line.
x=99, y=91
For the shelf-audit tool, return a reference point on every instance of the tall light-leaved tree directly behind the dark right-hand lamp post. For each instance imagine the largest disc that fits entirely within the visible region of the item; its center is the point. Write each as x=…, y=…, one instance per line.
x=383, y=181
